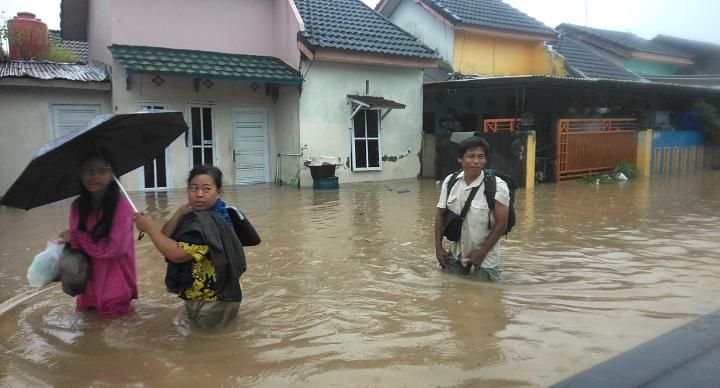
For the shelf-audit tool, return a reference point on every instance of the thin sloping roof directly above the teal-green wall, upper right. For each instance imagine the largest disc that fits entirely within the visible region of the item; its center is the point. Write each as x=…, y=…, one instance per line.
x=624, y=40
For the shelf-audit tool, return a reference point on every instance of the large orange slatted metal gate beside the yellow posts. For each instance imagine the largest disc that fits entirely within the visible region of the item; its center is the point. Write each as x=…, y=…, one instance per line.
x=589, y=146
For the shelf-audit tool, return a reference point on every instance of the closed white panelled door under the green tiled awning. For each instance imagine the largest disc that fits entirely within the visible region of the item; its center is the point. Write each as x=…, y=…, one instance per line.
x=250, y=145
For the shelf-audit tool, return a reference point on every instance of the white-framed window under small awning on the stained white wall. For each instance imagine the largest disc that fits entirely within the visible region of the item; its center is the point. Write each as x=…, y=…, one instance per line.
x=366, y=140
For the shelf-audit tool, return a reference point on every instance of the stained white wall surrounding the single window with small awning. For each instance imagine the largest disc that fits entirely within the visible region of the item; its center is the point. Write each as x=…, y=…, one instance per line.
x=324, y=117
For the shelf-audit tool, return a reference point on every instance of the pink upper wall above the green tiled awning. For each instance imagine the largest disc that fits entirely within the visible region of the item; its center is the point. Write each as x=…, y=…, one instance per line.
x=254, y=27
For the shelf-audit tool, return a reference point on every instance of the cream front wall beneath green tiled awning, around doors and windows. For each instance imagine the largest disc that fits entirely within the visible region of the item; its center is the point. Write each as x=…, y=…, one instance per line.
x=176, y=93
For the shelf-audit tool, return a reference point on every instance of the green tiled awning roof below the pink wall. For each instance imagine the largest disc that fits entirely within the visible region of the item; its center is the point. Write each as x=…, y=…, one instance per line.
x=204, y=64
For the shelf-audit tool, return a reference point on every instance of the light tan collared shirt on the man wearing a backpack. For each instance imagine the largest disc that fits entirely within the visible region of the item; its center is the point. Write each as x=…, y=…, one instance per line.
x=475, y=228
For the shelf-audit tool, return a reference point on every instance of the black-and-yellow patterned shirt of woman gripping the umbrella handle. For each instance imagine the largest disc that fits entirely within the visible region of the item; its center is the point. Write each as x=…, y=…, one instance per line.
x=203, y=273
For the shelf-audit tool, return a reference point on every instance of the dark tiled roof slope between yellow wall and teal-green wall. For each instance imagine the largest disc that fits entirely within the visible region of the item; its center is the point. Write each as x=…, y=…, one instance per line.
x=584, y=62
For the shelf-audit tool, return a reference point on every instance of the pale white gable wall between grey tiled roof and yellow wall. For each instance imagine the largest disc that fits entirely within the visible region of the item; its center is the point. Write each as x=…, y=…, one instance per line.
x=426, y=27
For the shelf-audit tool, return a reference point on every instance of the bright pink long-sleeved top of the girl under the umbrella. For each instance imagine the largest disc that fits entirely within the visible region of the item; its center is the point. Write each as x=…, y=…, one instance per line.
x=113, y=279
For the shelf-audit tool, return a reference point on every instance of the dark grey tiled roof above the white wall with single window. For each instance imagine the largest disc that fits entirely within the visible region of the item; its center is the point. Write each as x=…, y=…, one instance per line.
x=352, y=26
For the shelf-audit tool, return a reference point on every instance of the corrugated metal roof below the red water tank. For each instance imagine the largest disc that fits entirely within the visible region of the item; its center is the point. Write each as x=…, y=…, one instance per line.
x=91, y=72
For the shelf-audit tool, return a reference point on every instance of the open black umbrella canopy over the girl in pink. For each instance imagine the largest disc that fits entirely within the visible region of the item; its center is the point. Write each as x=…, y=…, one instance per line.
x=131, y=140
